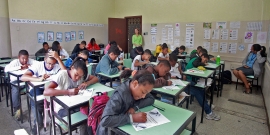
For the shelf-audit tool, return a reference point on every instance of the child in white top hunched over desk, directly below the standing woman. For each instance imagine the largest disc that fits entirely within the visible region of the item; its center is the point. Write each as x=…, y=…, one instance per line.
x=141, y=60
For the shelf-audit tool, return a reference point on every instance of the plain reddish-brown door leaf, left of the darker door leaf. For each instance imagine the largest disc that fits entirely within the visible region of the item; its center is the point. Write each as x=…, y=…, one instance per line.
x=117, y=31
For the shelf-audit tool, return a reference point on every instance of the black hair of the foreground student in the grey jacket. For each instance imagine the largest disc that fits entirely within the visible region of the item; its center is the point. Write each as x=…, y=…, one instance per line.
x=142, y=76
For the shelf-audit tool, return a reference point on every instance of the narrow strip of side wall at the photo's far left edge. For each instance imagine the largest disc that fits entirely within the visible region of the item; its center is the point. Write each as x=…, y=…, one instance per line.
x=5, y=50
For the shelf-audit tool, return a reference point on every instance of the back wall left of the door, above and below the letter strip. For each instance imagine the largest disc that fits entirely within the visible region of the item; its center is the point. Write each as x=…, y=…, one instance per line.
x=24, y=36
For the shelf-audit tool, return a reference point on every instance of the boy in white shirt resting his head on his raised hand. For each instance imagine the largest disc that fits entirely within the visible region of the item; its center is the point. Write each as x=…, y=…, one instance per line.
x=38, y=72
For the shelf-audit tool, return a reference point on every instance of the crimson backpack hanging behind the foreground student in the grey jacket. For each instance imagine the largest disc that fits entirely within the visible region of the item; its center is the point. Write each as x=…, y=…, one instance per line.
x=96, y=110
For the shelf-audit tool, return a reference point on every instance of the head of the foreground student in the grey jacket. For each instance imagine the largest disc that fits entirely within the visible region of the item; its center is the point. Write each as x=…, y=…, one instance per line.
x=141, y=84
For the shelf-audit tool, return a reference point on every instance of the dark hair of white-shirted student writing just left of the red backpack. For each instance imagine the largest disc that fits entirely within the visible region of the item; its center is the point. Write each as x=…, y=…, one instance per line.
x=79, y=62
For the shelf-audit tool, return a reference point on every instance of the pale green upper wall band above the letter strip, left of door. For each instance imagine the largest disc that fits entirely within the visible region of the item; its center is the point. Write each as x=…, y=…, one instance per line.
x=96, y=11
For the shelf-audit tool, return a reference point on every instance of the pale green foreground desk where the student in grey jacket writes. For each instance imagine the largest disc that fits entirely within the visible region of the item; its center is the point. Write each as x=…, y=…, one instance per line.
x=179, y=120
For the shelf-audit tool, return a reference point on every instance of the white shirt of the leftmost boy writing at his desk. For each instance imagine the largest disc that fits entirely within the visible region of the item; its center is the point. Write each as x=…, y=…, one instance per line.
x=16, y=65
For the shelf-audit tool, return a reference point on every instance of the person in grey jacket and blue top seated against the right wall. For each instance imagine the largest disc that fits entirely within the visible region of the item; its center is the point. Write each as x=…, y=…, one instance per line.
x=252, y=65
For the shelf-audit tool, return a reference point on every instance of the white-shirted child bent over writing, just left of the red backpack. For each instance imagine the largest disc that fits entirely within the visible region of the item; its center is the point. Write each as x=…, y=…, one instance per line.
x=69, y=82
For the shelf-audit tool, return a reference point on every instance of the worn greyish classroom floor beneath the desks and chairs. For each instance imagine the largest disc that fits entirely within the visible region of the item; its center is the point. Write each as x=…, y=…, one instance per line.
x=241, y=114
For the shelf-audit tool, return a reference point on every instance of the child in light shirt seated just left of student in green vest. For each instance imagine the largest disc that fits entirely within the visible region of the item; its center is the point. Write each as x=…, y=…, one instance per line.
x=175, y=71
